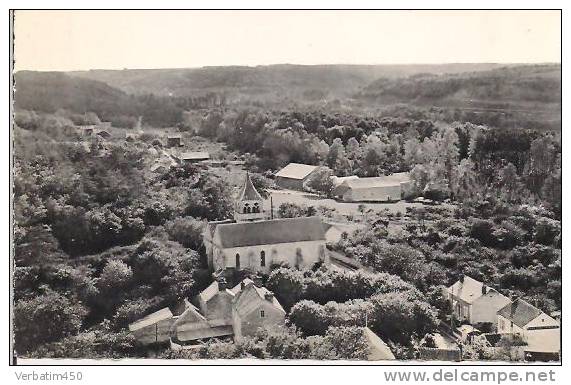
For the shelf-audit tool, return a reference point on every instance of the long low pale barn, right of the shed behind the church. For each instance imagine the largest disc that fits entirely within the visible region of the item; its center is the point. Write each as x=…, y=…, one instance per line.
x=376, y=189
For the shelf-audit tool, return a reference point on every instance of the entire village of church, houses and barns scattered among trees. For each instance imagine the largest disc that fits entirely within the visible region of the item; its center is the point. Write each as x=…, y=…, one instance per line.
x=241, y=250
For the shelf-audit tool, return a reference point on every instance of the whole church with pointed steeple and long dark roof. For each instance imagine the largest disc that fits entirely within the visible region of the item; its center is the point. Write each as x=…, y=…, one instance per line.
x=253, y=242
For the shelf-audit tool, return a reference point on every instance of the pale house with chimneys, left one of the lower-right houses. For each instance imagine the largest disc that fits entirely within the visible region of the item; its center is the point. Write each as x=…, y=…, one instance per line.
x=475, y=302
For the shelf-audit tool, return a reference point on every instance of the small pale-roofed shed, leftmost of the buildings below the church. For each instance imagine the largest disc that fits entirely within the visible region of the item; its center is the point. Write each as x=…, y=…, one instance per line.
x=155, y=327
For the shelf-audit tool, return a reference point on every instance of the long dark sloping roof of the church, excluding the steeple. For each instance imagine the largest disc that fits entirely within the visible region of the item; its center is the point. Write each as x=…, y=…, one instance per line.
x=283, y=230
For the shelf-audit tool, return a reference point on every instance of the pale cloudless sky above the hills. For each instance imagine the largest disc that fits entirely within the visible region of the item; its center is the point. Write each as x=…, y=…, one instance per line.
x=82, y=40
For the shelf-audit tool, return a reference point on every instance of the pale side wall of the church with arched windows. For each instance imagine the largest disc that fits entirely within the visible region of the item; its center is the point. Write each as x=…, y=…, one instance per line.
x=250, y=256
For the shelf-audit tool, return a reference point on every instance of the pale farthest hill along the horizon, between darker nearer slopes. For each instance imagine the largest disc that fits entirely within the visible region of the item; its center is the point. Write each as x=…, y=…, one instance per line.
x=311, y=81
